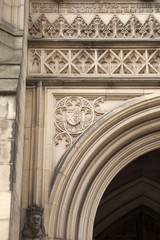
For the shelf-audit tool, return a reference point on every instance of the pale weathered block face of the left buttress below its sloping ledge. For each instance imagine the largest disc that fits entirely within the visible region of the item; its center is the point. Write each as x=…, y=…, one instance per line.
x=7, y=134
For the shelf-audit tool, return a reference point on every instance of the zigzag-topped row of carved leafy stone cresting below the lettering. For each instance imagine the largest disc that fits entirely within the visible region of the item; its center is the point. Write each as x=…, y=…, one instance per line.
x=97, y=29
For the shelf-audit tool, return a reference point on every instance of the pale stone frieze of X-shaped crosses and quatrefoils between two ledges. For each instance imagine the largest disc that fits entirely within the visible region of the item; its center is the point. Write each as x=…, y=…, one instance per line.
x=88, y=62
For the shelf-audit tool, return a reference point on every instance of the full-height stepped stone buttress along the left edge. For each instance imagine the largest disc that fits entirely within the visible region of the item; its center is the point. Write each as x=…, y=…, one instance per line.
x=12, y=95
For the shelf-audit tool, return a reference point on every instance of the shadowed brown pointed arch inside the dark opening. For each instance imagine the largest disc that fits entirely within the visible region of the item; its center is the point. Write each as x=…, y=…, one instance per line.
x=125, y=199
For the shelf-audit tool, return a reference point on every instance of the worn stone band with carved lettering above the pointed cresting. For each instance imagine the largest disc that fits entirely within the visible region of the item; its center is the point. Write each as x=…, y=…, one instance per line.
x=93, y=7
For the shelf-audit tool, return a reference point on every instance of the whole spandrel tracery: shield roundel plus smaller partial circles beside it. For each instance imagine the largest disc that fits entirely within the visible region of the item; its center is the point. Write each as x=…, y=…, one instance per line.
x=72, y=115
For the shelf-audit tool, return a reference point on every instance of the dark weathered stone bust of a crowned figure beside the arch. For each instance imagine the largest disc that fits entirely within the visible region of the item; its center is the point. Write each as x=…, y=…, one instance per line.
x=34, y=228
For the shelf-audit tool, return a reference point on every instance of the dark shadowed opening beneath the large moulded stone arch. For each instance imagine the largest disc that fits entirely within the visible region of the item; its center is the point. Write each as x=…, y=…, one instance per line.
x=130, y=206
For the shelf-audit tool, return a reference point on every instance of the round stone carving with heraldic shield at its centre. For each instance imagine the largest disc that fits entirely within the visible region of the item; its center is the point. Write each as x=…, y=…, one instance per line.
x=73, y=115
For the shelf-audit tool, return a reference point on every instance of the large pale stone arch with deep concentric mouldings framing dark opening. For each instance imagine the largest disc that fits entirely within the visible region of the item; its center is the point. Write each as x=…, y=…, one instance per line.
x=83, y=174
